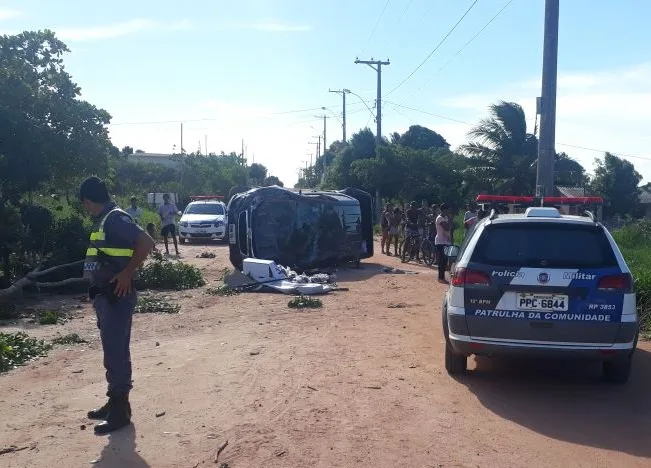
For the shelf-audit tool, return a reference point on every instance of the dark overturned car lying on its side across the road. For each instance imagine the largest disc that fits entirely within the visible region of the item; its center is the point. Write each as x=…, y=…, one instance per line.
x=302, y=230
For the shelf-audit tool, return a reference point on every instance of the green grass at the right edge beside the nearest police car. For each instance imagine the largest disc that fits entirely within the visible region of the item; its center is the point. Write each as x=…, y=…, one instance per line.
x=634, y=241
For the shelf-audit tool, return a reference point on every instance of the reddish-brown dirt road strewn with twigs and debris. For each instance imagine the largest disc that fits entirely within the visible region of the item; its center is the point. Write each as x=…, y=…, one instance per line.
x=359, y=383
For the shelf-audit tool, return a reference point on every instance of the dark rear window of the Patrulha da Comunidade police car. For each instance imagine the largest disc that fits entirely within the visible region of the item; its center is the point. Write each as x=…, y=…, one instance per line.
x=544, y=245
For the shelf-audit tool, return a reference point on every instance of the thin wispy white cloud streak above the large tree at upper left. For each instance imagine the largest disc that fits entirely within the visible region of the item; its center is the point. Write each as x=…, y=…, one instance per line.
x=114, y=30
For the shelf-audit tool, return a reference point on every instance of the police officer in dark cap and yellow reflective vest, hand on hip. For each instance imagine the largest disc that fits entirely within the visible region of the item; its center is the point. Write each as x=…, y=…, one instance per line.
x=117, y=247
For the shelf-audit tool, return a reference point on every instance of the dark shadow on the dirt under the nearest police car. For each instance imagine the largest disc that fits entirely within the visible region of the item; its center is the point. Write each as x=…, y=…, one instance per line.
x=568, y=401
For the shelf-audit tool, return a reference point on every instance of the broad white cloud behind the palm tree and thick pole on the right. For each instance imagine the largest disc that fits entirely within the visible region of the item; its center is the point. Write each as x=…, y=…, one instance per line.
x=607, y=110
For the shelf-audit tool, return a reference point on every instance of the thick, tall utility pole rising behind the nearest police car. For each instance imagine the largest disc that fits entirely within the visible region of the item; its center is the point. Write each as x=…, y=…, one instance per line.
x=547, y=141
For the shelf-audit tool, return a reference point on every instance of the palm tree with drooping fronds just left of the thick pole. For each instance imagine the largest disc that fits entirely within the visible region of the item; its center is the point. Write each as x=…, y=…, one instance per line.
x=502, y=153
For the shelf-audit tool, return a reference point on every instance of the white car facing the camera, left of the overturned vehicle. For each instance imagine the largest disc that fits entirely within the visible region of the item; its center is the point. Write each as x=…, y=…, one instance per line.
x=203, y=220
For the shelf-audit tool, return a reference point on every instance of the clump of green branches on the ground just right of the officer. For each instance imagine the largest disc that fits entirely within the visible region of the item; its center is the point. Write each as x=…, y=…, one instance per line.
x=162, y=273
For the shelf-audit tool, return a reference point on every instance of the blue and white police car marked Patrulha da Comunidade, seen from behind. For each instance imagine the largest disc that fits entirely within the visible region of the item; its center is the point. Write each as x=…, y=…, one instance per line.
x=541, y=283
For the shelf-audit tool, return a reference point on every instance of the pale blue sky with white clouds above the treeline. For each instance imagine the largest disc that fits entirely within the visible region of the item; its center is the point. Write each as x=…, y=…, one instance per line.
x=261, y=70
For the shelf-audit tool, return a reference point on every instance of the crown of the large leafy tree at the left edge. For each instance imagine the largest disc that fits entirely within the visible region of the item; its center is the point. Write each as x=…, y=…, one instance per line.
x=43, y=123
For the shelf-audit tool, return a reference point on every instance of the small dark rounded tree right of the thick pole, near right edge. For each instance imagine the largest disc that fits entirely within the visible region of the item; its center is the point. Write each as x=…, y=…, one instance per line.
x=616, y=180
